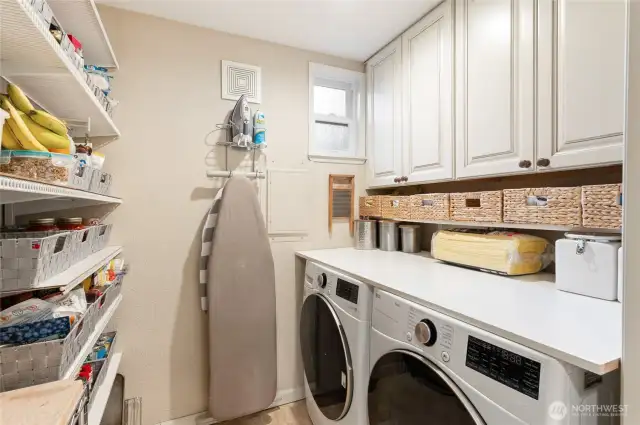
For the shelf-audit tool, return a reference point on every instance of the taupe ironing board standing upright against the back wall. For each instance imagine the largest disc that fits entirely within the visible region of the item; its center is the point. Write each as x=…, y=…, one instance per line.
x=242, y=307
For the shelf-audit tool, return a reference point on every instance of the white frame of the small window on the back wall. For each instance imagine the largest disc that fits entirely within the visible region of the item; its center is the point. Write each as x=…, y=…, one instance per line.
x=353, y=83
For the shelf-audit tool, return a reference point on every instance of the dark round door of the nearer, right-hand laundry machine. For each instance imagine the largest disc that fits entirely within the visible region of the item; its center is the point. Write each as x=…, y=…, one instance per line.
x=407, y=389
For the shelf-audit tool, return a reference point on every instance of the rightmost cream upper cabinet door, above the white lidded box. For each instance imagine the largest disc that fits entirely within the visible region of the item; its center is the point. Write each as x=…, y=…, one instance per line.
x=581, y=82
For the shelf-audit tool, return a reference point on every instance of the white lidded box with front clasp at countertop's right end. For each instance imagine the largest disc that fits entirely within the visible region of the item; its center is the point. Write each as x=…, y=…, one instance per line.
x=587, y=264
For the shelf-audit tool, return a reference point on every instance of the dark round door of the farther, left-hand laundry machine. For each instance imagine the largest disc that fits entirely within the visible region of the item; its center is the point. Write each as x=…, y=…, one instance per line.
x=326, y=357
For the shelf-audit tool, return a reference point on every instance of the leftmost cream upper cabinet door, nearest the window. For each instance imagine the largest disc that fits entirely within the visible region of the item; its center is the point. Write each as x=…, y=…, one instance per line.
x=384, y=115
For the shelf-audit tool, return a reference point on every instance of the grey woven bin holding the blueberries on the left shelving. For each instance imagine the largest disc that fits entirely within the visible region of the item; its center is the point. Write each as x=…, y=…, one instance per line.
x=41, y=362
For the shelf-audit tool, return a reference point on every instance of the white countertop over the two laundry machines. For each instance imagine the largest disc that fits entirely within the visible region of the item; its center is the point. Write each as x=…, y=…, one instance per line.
x=583, y=331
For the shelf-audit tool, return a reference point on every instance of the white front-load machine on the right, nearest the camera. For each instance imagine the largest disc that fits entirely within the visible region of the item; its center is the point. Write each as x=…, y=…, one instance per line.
x=428, y=368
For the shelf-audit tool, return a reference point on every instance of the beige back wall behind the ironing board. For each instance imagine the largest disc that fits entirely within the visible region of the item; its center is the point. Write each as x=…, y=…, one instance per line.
x=169, y=88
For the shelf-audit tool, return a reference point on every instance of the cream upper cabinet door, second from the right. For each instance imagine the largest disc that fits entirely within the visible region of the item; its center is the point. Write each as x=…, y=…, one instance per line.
x=494, y=87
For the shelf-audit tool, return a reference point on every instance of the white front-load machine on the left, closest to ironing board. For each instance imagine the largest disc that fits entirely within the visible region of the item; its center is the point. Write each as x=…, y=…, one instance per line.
x=334, y=340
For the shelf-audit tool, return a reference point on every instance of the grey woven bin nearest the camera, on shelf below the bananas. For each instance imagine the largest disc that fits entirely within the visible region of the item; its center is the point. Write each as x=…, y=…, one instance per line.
x=27, y=261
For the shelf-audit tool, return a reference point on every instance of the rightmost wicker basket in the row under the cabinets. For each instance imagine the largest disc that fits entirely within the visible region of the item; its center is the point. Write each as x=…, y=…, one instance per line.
x=602, y=206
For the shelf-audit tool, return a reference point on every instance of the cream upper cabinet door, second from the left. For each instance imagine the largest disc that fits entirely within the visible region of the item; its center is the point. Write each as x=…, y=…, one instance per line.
x=427, y=97
